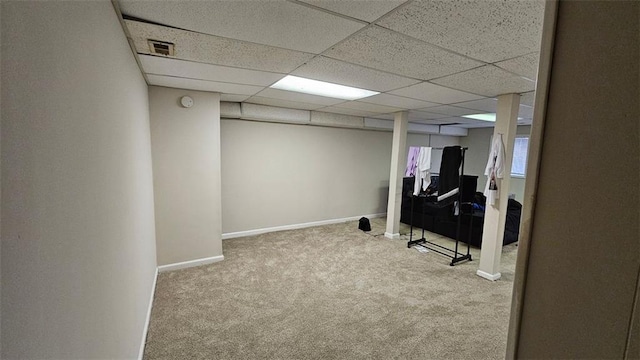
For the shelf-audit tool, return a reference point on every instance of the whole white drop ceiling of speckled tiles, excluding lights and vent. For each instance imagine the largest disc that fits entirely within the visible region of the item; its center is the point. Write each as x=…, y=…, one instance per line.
x=439, y=60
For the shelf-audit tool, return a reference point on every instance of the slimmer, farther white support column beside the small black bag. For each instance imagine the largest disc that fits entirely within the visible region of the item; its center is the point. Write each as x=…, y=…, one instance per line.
x=398, y=157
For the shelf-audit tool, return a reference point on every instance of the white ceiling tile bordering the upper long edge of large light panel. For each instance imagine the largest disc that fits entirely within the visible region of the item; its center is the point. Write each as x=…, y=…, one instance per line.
x=340, y=72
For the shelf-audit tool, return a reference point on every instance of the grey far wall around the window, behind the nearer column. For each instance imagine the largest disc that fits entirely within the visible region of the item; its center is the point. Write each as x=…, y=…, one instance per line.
x=478, y=141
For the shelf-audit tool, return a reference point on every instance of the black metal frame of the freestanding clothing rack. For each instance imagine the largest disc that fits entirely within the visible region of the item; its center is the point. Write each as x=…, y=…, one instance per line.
x=455, y=255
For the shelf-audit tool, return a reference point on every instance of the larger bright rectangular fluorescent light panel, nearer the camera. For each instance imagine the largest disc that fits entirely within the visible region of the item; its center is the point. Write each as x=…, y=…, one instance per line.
x=321, y=88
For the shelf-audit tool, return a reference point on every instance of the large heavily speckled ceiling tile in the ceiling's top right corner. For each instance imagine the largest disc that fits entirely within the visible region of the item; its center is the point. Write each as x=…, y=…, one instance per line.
x=485, y=30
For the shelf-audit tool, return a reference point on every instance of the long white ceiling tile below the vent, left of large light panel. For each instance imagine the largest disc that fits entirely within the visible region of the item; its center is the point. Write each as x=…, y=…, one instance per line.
x=158, y=65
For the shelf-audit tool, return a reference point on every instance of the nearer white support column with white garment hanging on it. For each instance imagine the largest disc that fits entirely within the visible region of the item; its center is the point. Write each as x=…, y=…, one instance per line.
x=495, y=216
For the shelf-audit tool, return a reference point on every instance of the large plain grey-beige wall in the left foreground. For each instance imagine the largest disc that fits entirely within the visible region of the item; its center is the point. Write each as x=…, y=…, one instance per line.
x=78, y=245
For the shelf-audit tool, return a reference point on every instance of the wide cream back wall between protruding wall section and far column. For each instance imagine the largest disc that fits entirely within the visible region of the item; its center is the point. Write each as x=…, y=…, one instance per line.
x=282, y=174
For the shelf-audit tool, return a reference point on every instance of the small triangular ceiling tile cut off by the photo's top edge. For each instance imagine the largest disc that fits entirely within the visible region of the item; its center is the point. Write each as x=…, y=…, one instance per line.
x=359, y=9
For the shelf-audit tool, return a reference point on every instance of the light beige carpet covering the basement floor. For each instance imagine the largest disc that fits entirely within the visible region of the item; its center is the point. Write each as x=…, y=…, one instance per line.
x=331, y=292
